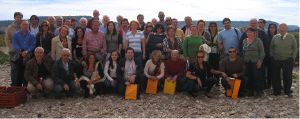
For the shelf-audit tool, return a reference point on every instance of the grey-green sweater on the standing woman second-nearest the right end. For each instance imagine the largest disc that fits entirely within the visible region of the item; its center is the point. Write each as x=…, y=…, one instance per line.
x=253, y=52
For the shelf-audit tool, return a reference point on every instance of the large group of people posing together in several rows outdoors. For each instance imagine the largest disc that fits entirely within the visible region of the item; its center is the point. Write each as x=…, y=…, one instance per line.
x=59, y=57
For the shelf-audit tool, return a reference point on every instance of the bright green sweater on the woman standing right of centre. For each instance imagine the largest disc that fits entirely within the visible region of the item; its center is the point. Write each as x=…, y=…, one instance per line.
x=191, y=46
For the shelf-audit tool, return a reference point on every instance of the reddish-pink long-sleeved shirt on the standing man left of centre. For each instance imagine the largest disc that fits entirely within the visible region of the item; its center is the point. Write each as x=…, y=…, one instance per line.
x=93, y=42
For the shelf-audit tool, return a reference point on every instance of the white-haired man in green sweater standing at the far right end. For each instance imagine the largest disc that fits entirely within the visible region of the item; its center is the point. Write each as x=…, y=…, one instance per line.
x=283, y=51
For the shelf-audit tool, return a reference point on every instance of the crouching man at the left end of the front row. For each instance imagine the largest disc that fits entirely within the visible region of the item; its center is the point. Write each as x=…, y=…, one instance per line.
x=38, y=73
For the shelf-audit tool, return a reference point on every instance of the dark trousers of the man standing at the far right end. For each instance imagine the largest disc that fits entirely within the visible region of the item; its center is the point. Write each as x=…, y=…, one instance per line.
x=287, y=68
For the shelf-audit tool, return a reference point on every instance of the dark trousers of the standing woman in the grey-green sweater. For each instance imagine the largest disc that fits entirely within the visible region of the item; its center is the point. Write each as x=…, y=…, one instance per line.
x=254, y=75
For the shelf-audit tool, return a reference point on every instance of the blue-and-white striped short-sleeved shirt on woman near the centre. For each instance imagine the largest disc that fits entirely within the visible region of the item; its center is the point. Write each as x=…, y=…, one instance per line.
x=134, y=41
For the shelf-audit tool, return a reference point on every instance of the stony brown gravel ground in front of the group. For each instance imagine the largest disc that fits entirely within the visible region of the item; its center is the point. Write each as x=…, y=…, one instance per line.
x=160, y=105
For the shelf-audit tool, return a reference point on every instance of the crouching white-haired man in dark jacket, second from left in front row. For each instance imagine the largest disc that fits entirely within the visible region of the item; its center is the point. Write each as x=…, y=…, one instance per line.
x=64, y=76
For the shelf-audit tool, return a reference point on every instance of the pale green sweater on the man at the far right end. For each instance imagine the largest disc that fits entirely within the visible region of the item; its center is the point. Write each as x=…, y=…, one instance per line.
x=283, y=49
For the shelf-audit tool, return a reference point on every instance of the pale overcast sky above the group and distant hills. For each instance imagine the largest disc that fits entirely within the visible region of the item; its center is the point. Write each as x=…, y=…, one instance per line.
x=276, y=10
